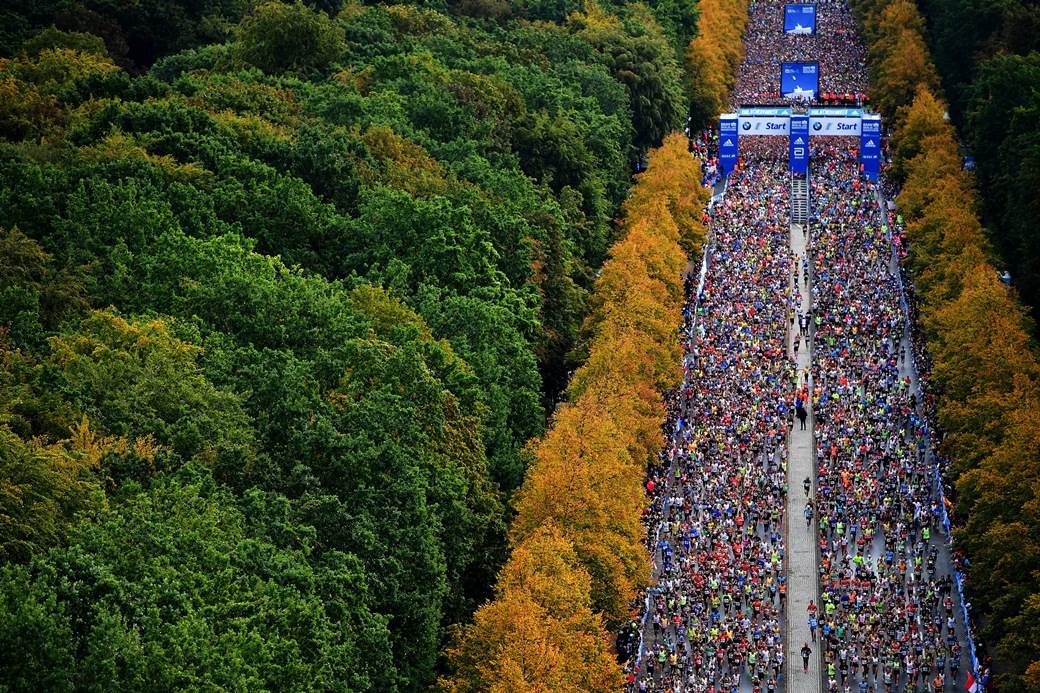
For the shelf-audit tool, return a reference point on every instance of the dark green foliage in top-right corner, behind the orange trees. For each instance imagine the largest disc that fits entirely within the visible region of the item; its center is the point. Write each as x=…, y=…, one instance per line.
x=989, y=56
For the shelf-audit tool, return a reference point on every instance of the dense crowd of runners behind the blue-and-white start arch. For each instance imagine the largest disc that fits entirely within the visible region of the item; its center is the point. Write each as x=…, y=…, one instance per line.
x=836, y=46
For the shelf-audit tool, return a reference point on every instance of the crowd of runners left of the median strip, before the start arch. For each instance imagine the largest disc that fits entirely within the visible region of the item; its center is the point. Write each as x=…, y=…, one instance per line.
x=716, y=521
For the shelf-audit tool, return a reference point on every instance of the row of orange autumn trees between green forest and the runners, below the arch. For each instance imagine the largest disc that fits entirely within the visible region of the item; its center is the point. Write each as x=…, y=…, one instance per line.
x=579, y=557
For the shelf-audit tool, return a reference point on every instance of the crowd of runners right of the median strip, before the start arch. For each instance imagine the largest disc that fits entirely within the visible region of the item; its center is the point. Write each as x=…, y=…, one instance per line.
x=887, y=619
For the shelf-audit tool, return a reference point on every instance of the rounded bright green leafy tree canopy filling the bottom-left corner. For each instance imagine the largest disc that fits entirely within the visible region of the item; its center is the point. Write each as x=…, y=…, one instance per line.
x=181, y=586
